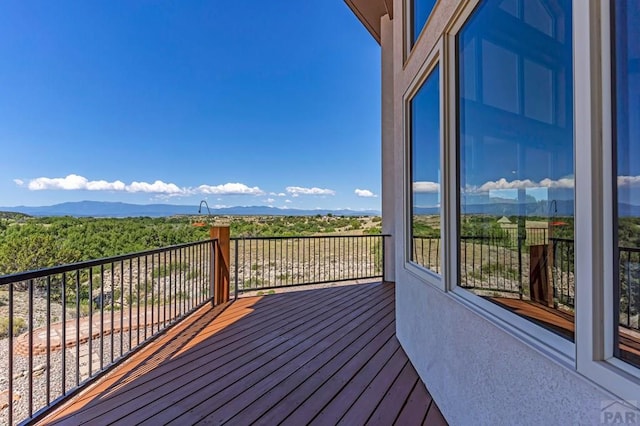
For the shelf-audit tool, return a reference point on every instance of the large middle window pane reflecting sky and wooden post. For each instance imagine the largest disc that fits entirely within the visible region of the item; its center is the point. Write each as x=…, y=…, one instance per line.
x=515, y=151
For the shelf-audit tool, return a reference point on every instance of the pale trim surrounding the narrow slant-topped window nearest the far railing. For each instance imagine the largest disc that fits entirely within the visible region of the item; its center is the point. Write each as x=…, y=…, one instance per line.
x=432, y=61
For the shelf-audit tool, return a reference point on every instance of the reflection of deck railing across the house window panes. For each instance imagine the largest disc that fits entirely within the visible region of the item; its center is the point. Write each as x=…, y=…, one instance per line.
x=501, y=265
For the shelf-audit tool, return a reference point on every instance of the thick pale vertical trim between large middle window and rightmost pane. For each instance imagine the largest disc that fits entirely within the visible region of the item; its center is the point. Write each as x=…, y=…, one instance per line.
x=594, y=161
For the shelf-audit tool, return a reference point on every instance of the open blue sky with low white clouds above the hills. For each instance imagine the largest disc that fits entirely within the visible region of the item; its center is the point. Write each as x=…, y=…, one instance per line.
x=239, y=103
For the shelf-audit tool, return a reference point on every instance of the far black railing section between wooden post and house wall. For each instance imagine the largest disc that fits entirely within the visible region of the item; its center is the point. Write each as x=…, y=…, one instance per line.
x=274, y=262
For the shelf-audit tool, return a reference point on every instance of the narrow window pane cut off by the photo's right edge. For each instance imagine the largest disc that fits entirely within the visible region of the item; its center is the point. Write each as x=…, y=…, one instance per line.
x=627, y=181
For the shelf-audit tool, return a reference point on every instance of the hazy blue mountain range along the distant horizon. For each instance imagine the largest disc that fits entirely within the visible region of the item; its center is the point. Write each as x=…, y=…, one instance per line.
x=116, y=209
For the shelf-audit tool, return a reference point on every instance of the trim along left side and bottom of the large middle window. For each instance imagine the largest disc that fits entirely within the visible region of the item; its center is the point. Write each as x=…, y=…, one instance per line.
x=542, y=340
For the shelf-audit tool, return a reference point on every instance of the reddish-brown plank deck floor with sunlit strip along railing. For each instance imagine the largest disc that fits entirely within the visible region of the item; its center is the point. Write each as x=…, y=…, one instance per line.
x=327, y=356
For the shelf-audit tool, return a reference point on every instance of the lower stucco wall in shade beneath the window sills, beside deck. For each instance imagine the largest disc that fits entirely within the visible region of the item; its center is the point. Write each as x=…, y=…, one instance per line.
x=479, y=374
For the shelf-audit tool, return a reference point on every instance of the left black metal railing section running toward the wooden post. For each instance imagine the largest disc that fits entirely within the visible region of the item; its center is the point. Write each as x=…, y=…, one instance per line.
x=66, y=325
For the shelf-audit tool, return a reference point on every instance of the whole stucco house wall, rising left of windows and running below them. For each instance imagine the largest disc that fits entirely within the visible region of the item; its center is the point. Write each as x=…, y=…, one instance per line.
x=478, y=372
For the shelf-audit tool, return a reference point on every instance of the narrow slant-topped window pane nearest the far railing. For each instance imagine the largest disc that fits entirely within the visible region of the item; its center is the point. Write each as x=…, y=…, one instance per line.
x=425, y=174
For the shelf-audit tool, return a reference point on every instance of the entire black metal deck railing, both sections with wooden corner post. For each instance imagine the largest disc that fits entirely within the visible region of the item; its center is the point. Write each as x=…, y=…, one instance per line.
x=69, y=324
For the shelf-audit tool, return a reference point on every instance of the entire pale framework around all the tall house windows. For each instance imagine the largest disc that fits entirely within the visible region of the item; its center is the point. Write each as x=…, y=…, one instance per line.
x=592, y=356
